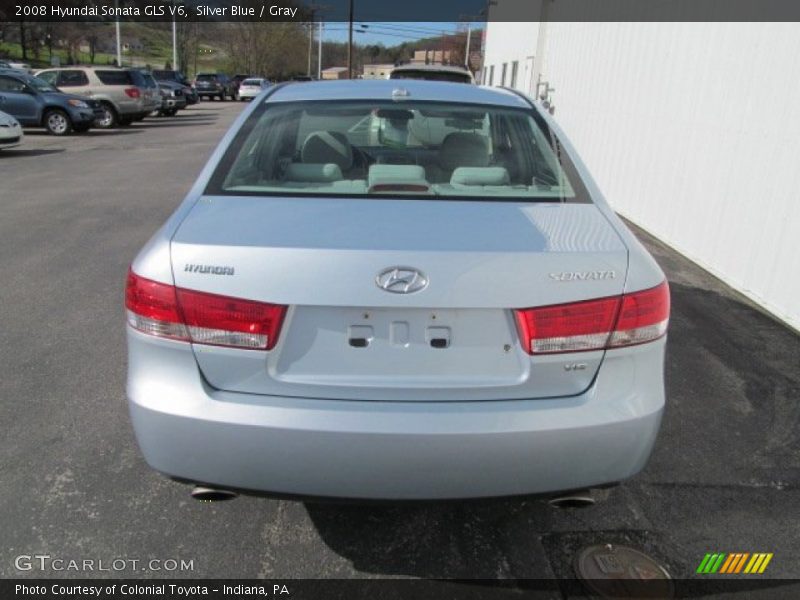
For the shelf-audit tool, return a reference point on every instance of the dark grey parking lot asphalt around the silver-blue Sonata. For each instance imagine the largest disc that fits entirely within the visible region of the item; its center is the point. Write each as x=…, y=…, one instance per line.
x=74, y=211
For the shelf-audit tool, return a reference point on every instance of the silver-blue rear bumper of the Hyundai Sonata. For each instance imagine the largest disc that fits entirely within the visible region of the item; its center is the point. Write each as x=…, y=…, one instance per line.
x=393, y=450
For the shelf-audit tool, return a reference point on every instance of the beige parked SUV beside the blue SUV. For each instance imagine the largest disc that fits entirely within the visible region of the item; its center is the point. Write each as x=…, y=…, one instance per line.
x=123, y=93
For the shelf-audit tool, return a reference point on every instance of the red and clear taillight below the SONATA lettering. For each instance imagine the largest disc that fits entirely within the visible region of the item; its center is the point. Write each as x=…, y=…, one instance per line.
x=596, y=324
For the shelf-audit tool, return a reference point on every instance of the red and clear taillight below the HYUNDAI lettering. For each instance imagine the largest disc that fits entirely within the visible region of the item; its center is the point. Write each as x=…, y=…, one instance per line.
x=166, y=311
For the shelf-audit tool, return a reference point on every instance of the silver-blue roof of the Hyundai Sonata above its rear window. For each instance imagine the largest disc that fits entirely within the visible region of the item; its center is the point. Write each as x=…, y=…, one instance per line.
x=381, y=89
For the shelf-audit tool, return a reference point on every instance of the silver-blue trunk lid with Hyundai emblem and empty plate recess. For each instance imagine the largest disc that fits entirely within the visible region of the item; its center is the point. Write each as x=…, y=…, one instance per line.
x=345, y=337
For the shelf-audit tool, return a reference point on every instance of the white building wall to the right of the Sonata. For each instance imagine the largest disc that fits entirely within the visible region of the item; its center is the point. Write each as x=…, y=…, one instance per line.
x=692, y=130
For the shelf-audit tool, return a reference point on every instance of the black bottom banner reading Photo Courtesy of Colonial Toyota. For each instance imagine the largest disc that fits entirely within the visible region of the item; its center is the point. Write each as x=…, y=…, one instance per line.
x=387, y=589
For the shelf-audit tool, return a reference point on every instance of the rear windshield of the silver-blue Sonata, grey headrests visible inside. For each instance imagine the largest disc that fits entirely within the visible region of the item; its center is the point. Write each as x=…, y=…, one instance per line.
x=411, y=148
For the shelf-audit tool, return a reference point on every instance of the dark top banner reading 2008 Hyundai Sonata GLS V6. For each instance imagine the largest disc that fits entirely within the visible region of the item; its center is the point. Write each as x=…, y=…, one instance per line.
x=393, y=10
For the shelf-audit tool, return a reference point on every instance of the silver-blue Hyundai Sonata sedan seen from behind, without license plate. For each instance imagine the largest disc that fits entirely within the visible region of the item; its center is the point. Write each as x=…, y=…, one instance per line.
x=400, y=290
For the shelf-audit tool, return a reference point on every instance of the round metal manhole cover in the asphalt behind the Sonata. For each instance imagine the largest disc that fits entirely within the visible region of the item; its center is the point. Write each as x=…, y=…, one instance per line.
x=613, y=571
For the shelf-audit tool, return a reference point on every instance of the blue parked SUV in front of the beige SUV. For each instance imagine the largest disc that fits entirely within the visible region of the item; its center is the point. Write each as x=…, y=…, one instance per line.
x=35, y=103
